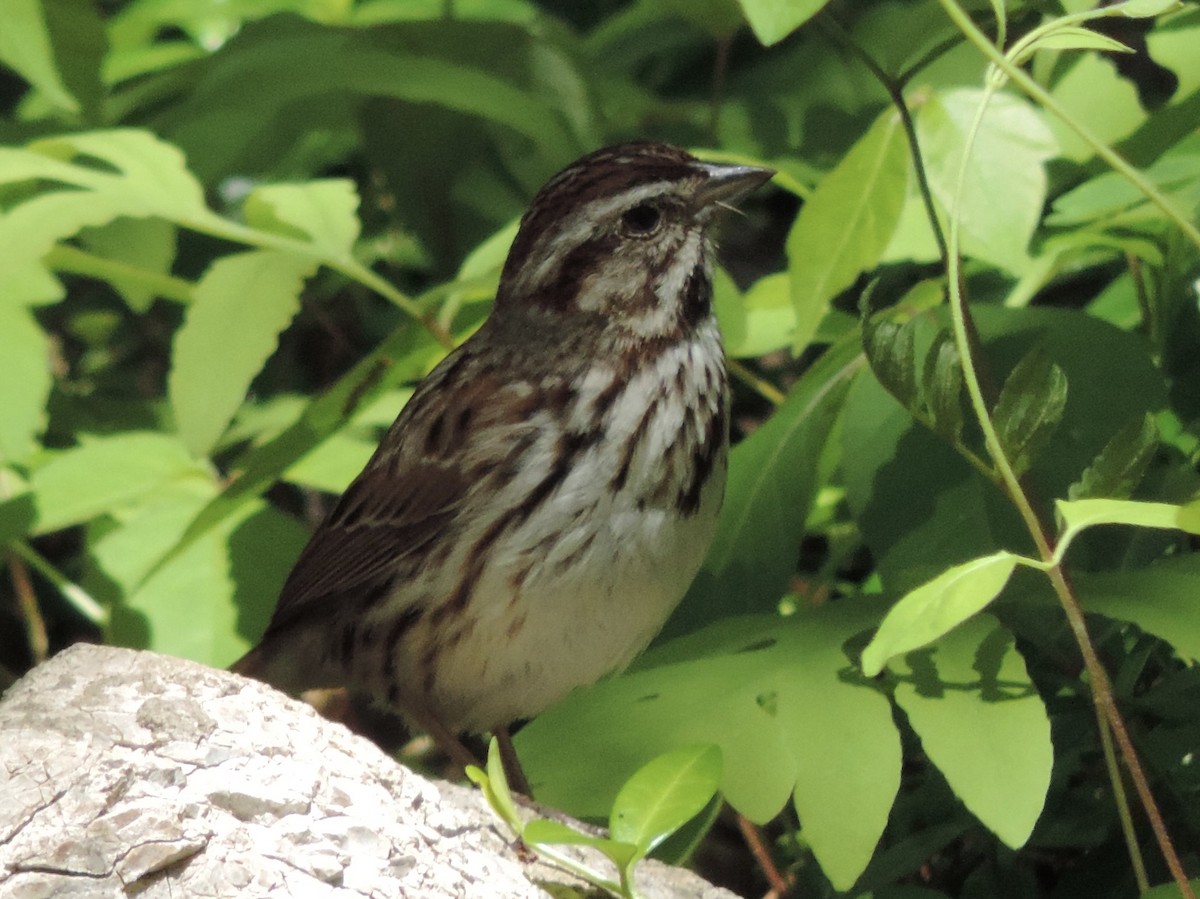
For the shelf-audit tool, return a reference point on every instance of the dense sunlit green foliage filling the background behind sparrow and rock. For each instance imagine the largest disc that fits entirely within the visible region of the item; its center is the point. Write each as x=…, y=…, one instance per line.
x=233, y=236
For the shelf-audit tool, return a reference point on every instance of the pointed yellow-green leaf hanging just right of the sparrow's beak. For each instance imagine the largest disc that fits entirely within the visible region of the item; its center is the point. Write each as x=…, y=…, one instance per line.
x=847, y=224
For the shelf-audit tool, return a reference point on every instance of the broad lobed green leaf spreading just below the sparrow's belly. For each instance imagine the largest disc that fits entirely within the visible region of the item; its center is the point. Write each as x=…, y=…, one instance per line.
x=781, y=700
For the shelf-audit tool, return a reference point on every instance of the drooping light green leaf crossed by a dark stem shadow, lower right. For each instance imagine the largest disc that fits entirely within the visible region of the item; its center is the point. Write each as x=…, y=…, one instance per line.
x=982, y=723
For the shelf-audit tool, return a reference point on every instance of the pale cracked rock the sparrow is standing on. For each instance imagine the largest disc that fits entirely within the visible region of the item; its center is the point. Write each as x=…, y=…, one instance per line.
x=129, y=774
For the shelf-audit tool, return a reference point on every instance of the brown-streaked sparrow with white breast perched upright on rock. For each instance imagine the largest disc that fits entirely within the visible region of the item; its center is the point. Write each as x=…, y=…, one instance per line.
x=547, y=498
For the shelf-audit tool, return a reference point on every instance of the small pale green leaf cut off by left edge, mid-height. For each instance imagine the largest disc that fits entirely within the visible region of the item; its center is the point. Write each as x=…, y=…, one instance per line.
x=26, y=386
